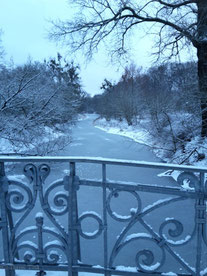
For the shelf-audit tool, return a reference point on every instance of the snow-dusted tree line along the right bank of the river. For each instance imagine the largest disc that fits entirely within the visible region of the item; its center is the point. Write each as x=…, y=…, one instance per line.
x=163, y=99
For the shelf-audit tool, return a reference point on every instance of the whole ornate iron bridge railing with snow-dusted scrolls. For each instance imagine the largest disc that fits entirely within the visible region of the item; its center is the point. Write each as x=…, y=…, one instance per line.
x=44, y=222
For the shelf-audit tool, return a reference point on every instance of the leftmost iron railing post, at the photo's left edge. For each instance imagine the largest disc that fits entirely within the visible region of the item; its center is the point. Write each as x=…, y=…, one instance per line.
x=4, y=219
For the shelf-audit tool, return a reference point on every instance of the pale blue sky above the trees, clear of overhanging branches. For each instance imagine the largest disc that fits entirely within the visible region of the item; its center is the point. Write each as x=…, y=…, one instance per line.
x=25, y=28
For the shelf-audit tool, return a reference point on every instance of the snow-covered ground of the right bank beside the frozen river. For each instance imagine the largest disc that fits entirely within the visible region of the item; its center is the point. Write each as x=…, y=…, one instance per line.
x=139, y=134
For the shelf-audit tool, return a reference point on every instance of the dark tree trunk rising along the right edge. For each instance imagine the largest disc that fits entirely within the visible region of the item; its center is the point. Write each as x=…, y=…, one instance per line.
x=202, y=61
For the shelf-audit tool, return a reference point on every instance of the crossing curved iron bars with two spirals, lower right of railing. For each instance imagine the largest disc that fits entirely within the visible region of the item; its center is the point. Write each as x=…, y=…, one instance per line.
x=145, y=259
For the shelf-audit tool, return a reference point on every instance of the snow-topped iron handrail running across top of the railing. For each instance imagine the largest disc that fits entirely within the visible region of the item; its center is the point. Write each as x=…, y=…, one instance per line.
x=101, y=160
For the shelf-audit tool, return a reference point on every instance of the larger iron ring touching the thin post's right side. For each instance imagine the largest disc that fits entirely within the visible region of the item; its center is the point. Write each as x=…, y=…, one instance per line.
x=133, y=211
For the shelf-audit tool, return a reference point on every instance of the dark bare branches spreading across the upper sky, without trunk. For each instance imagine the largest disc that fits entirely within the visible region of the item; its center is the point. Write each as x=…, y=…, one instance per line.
x=115, y=19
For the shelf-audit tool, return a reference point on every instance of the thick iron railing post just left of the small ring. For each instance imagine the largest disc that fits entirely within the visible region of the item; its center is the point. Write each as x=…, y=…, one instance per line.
x=74, y=239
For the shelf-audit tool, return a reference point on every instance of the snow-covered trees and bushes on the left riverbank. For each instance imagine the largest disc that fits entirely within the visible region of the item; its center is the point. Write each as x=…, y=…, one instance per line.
x=34, y=118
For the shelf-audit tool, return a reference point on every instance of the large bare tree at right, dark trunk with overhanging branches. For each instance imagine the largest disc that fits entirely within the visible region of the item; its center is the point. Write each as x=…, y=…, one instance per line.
x=177, y=23
